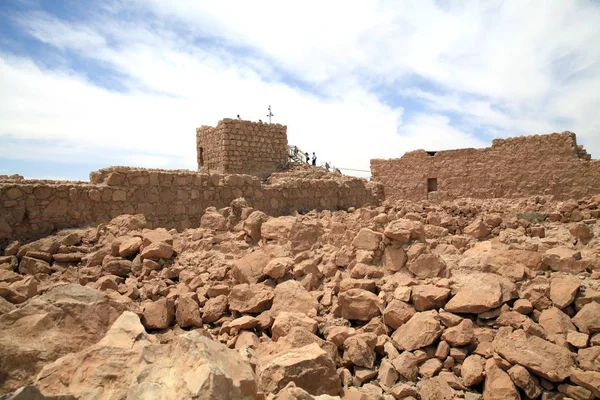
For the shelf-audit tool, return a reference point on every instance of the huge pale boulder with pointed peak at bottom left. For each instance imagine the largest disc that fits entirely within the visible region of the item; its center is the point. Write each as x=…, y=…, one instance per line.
x=188, y=366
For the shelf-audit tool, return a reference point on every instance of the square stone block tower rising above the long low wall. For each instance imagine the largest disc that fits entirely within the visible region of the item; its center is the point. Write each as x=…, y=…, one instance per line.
x=242, y=147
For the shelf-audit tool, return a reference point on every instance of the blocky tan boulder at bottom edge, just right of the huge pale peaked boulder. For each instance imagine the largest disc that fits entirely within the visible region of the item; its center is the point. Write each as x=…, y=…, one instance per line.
x=309, y=367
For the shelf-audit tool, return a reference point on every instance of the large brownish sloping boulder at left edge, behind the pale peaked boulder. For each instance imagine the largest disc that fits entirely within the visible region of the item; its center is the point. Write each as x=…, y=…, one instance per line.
x=64, y=320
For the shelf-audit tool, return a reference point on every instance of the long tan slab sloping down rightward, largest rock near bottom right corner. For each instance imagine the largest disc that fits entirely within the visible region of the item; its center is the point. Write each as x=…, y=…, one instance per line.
x=545, y=359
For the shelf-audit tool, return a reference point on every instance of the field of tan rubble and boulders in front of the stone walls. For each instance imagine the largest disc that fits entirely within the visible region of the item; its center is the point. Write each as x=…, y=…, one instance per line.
x=496, y=299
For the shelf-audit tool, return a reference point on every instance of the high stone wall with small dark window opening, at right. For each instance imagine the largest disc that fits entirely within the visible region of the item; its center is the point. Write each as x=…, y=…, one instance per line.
x=516, y=167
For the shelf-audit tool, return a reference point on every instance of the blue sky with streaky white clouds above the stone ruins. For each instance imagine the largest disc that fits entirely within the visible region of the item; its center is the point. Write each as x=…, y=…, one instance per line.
x=87, y=84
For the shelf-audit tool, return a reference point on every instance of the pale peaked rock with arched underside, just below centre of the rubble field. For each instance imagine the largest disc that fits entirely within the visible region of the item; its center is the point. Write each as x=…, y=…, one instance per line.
x=293, y=297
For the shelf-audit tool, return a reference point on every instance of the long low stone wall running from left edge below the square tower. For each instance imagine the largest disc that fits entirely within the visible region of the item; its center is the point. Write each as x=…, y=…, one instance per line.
x=171, y=199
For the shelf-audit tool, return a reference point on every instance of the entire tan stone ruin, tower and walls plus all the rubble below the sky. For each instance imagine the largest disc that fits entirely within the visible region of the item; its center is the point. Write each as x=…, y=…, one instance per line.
x=217, y=285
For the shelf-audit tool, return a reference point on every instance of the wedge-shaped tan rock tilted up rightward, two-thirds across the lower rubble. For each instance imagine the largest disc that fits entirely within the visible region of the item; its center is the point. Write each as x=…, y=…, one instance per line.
x=420, y=331
